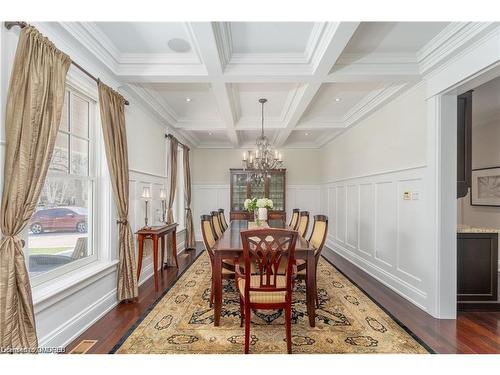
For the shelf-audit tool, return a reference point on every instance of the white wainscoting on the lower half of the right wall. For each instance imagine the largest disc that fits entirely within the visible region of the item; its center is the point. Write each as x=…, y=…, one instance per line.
x=374, y=227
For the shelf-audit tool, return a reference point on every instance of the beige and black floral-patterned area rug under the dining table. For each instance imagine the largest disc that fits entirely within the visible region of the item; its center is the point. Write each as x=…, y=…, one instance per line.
x=347, y=321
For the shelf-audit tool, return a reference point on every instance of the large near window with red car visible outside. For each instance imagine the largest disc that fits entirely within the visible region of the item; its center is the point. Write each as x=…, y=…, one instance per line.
x=61, y=228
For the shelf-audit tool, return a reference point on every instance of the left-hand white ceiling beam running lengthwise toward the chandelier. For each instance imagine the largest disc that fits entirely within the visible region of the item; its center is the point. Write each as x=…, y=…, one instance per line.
x=205, y=39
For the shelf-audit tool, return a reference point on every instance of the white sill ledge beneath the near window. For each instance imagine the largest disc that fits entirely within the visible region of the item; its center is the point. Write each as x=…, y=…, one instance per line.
x=55, y=290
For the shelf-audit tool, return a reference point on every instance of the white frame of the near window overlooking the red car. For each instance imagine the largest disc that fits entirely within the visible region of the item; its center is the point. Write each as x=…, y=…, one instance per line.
x=97, y=188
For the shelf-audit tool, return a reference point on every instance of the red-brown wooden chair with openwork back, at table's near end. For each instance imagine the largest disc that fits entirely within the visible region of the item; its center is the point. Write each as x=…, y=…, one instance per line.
x=263, y=287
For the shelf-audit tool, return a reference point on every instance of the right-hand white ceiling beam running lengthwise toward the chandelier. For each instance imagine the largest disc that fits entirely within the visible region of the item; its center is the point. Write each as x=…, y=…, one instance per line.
x=336, y=37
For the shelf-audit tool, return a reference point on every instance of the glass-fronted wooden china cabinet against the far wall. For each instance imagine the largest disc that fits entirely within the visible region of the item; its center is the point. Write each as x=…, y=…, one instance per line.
x=242, y=188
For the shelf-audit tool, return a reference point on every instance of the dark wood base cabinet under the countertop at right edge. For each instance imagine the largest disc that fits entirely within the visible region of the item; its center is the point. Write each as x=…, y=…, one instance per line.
x=477, y=268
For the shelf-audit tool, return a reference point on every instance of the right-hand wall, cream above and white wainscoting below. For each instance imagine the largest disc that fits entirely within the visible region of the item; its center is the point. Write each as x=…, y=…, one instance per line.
x=365, y=172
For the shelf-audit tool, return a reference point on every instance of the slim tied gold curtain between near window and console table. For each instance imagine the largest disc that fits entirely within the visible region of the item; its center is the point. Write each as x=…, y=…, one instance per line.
x=112, y=107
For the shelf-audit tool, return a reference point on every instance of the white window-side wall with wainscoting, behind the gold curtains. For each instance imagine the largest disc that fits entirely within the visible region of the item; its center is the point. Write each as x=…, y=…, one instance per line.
x=70, y=304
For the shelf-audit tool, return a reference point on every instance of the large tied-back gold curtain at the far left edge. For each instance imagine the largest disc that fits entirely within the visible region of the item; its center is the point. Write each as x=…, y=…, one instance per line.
x=33, y=113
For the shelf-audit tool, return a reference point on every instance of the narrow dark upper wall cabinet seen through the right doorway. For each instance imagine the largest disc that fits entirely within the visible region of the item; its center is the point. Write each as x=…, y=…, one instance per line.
x=464, y=143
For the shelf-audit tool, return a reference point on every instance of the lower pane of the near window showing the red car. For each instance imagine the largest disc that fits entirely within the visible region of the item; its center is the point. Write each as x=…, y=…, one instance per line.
x=58, y=230
